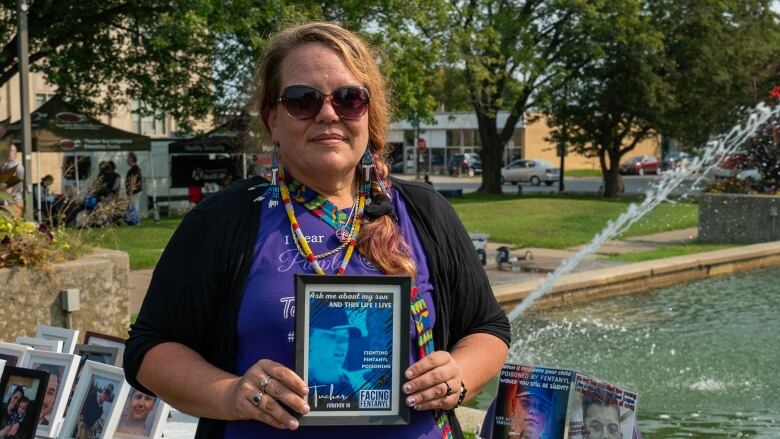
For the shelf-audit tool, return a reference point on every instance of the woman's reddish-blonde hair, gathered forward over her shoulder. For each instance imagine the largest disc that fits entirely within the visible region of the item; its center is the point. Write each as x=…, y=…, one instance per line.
x=379, y=240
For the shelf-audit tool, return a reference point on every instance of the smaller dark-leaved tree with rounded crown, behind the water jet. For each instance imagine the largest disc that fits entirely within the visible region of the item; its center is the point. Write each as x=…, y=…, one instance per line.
x=613, y=102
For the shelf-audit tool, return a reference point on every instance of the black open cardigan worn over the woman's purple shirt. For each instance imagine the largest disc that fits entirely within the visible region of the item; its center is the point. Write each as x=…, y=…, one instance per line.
x=197, y=286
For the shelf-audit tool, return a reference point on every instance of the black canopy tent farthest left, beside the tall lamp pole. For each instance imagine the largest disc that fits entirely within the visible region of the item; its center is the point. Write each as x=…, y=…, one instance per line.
x=59, y=127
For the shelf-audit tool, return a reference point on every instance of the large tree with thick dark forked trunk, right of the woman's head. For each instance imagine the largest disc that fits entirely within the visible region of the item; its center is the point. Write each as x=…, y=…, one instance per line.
x=507, y=51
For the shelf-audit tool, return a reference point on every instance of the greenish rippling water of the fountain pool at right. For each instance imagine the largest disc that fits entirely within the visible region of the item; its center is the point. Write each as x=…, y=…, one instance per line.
x=704, y=357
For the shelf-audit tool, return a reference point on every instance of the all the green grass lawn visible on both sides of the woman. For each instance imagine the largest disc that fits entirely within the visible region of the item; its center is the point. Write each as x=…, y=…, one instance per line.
x=551, y=221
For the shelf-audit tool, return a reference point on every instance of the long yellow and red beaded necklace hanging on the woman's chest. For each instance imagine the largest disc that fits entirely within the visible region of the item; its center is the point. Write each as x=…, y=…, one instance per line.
x=303, y=245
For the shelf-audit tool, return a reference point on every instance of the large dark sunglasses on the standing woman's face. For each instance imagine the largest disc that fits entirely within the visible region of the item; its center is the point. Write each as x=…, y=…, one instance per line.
x=304, y=102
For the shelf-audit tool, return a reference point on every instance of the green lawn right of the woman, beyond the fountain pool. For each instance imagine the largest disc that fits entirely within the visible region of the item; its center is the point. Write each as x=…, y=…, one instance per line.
x=554, y=221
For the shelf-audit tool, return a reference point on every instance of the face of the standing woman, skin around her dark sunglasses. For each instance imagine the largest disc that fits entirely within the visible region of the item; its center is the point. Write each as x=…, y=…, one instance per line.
x=325, y=146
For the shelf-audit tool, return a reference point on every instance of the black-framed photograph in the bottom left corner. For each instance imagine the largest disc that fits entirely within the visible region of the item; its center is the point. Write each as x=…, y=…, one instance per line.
x=21, y=395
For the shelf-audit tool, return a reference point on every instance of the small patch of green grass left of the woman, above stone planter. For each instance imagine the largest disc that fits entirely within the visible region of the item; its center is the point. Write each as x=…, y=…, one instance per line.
x=144, y=243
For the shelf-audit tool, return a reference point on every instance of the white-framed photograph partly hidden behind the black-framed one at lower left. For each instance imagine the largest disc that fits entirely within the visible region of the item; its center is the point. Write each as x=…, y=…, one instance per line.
x=62, y=372
